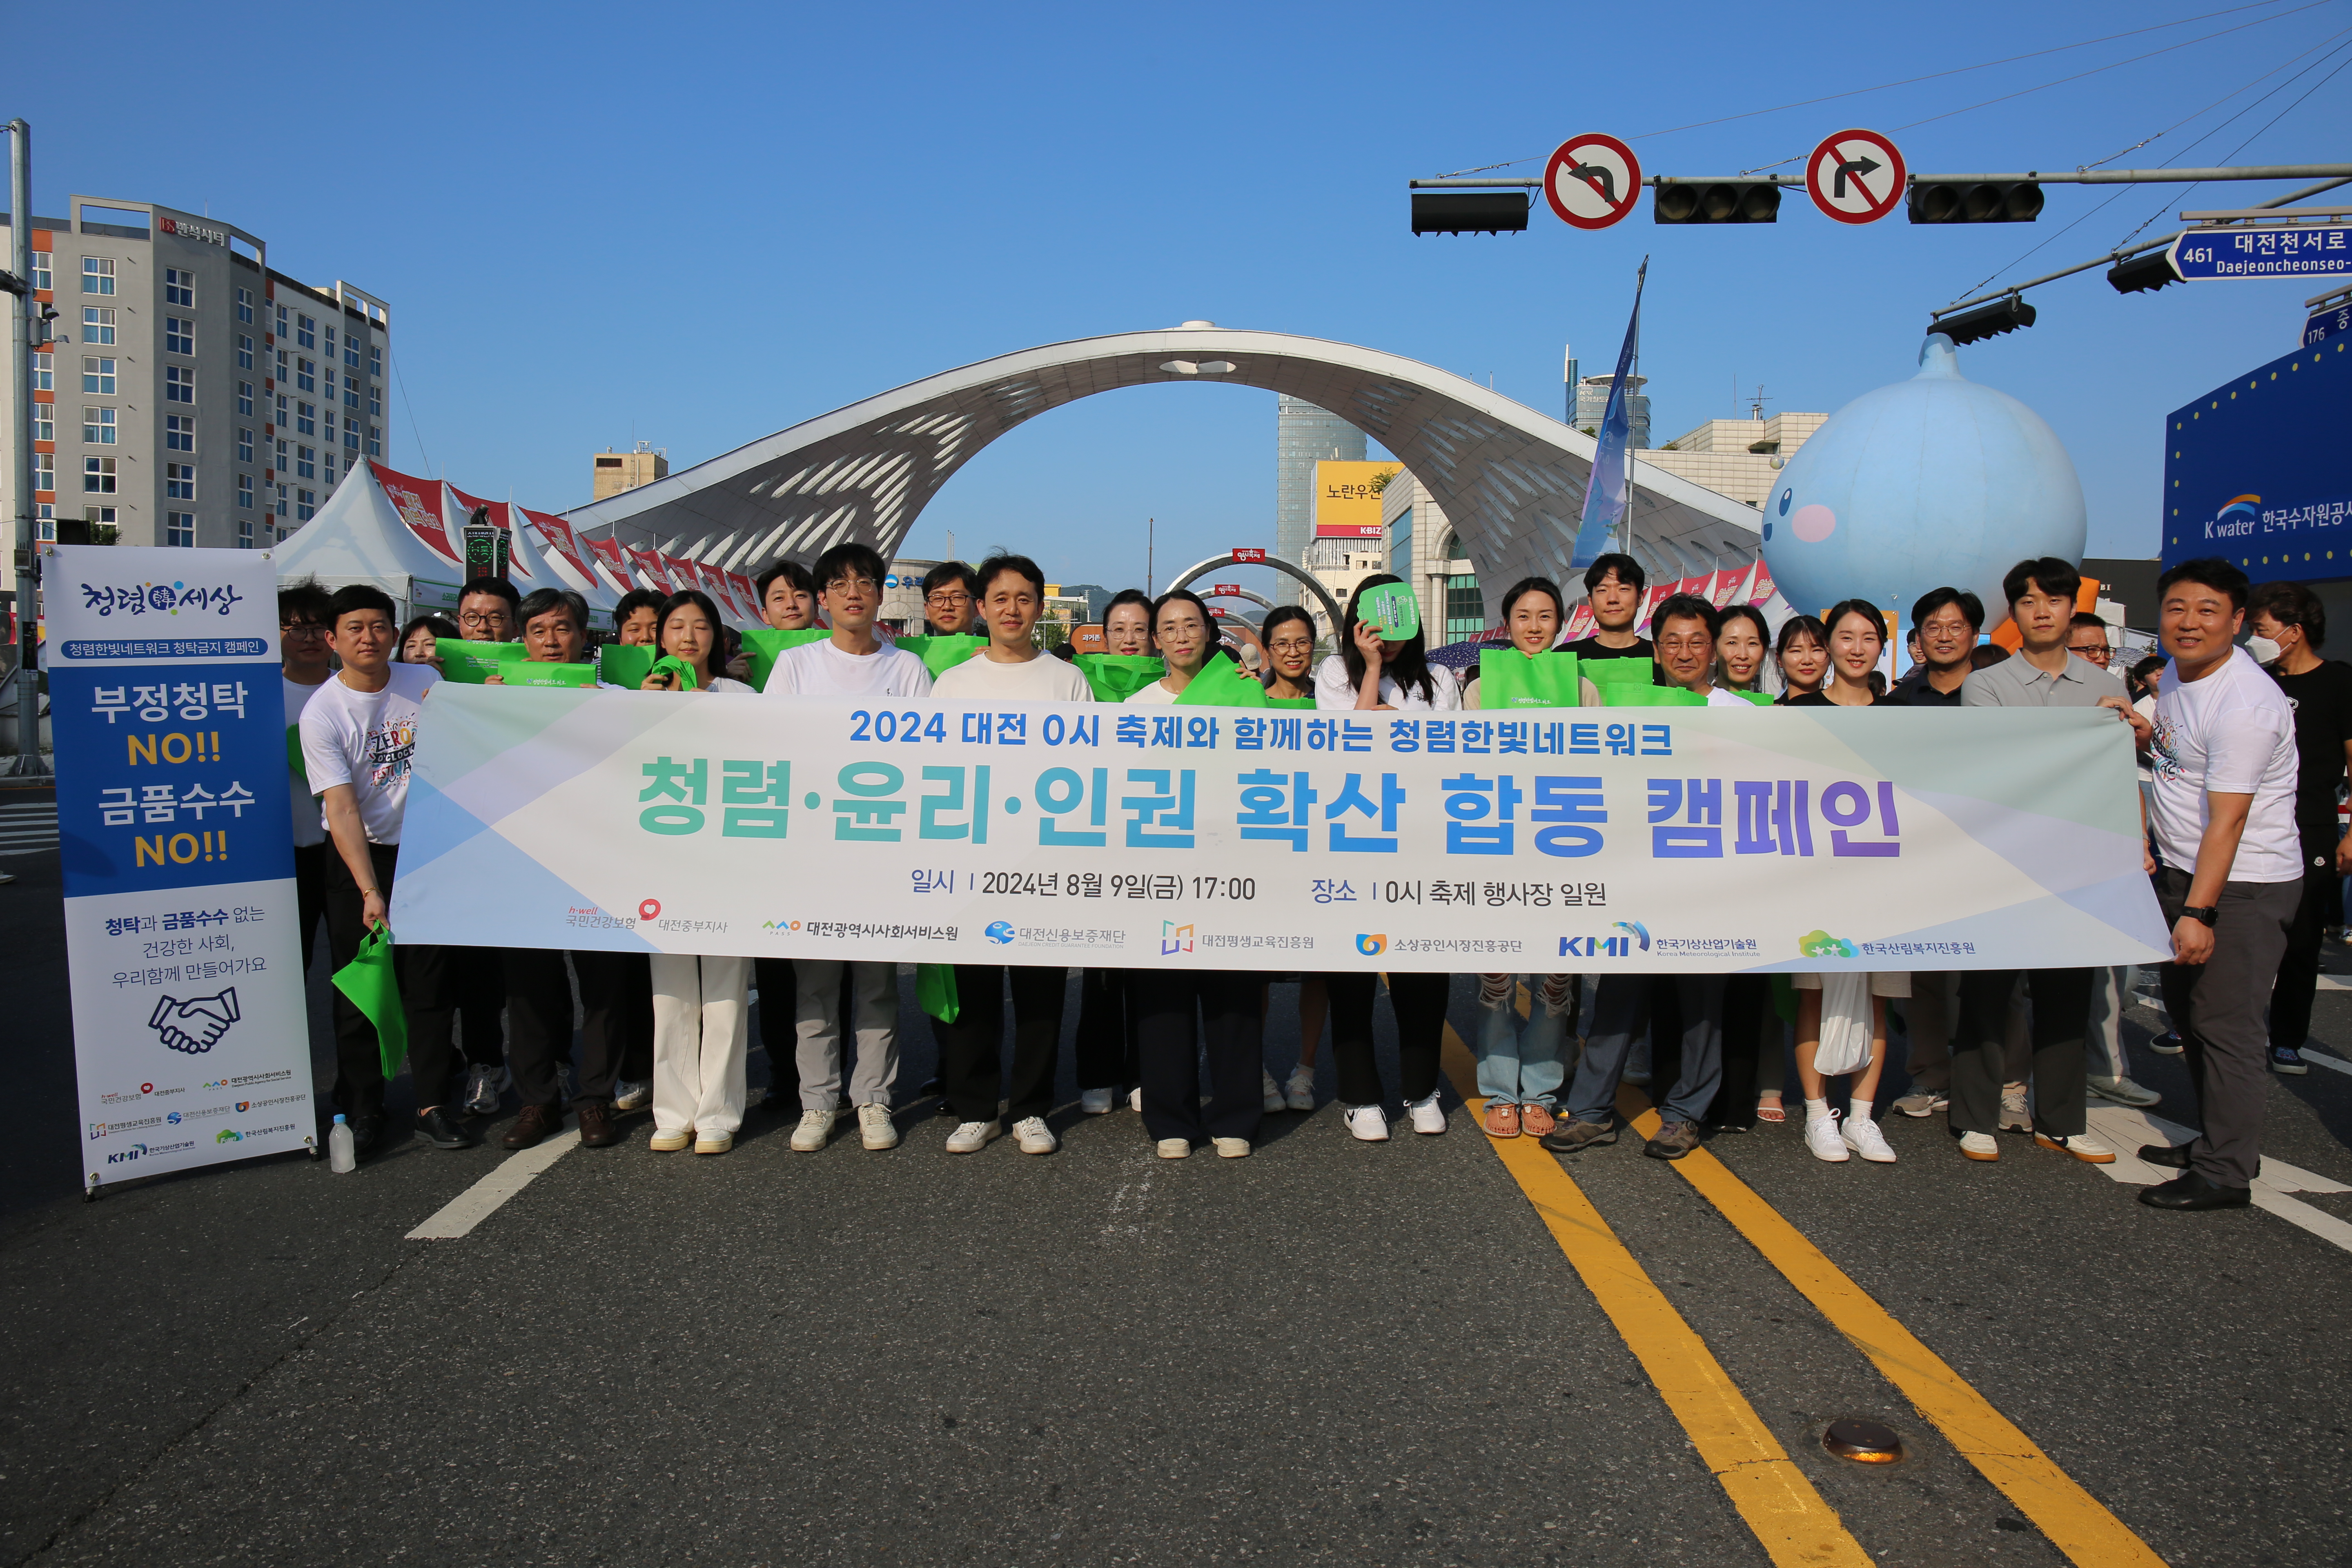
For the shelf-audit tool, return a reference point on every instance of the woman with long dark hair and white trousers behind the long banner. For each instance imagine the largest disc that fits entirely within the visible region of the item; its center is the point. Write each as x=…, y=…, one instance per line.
x=702, y=1005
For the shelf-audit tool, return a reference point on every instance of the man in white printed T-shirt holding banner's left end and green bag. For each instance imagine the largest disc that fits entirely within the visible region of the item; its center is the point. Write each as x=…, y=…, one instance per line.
x=359, y=744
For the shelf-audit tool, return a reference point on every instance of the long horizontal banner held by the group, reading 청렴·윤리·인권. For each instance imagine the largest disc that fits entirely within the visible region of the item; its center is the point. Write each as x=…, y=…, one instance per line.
x=1575, y=840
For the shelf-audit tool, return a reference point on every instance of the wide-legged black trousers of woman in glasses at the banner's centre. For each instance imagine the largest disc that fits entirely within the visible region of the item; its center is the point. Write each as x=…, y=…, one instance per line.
x=1231, y=1014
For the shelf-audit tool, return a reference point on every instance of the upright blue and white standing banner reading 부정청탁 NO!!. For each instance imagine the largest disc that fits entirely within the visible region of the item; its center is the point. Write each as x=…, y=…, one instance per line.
x=192, y=1040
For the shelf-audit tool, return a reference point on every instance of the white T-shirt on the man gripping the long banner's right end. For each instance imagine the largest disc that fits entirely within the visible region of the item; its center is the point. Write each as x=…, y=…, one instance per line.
x=2231, y=735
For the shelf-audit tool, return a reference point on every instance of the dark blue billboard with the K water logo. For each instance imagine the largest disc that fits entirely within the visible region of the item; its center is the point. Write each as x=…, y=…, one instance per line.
x=2259, y=471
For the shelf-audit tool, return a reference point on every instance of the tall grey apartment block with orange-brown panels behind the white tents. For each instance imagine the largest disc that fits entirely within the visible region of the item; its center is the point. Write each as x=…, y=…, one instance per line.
x=194, y=396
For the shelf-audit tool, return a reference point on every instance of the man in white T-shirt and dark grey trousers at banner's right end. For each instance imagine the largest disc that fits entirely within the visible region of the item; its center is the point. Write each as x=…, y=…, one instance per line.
x=2224, y=815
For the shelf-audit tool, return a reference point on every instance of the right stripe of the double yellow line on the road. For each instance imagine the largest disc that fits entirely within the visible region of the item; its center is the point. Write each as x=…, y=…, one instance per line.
x=2076, y=1522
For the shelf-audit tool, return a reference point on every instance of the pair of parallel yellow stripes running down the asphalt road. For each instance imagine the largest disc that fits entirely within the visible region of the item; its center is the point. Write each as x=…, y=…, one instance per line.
x=1789, y=1515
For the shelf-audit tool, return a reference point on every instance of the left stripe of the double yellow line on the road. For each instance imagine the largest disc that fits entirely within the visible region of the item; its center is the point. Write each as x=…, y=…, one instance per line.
x=1789, y=1517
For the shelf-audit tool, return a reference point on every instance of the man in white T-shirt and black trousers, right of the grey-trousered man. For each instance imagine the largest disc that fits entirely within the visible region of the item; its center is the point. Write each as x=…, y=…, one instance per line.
x=1008, y=671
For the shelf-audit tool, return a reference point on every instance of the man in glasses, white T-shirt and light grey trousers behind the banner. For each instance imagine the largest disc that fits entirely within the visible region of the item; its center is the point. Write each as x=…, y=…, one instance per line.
x=853, y=662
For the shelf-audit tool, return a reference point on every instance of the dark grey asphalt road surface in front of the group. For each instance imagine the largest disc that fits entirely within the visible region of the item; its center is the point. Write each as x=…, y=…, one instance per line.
x=1325, y=1353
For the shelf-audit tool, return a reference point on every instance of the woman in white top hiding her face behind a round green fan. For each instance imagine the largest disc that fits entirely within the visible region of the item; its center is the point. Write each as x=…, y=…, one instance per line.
x=1372, y=674
